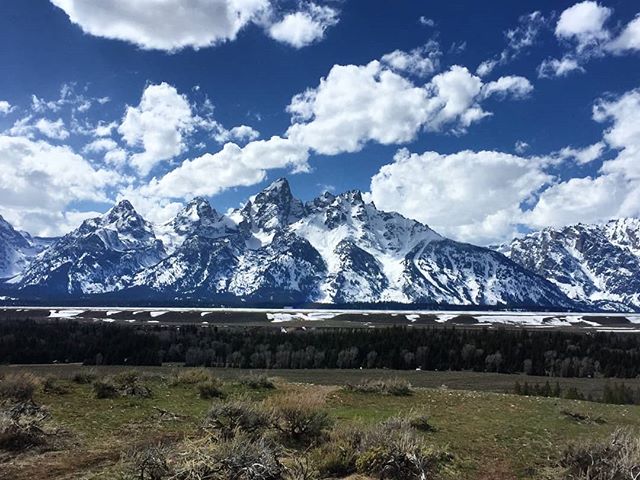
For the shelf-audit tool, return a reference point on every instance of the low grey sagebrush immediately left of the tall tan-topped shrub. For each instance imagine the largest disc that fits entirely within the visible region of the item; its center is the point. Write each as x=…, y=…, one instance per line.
x=239, y=416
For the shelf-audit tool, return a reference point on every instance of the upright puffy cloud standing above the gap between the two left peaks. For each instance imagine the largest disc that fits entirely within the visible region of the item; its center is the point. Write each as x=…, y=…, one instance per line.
x=158, y=125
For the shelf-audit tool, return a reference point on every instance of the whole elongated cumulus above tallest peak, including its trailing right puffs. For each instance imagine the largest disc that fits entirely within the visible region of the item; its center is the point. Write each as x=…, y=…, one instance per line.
x=356, y=104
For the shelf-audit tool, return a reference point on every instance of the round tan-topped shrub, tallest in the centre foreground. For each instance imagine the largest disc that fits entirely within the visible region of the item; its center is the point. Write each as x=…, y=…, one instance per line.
x=299, y=417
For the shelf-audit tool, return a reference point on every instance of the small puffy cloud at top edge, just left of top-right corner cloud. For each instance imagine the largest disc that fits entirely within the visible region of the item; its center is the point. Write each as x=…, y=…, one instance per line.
x=584, y=23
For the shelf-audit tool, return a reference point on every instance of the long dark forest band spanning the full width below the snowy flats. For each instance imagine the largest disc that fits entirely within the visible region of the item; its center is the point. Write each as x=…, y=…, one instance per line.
x=548, y=353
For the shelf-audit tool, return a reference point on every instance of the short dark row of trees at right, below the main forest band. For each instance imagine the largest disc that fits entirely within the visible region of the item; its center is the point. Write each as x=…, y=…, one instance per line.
x=616, y=393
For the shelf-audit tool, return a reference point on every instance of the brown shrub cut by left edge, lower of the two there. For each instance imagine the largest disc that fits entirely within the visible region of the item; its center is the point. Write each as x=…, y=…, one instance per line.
x=21, y=426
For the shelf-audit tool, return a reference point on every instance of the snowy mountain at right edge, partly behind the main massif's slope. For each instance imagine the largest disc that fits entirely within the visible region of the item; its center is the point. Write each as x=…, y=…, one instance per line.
x=595, y=263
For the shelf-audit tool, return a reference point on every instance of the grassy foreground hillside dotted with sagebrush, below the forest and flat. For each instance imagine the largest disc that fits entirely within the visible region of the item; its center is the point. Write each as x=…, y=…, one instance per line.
x=161, y=414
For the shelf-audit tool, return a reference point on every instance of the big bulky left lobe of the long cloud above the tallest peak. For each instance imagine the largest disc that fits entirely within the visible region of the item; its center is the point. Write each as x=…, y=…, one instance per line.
x=355, y=104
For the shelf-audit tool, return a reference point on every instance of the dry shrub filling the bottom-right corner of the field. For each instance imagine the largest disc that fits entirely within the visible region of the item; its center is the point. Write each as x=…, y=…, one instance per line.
x=616, y=458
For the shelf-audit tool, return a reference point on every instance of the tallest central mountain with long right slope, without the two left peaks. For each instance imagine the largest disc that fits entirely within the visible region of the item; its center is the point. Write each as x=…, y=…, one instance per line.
x=337, y=249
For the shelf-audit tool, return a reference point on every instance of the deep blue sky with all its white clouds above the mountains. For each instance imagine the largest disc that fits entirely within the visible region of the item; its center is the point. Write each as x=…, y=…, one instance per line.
x=484, y=123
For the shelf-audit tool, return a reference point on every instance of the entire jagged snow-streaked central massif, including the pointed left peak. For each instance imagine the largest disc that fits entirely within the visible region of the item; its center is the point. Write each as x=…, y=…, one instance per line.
x=277, y=249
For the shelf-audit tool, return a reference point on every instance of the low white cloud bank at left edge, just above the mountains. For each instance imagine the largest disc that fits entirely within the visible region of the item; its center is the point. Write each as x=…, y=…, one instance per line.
x=38, y=181
